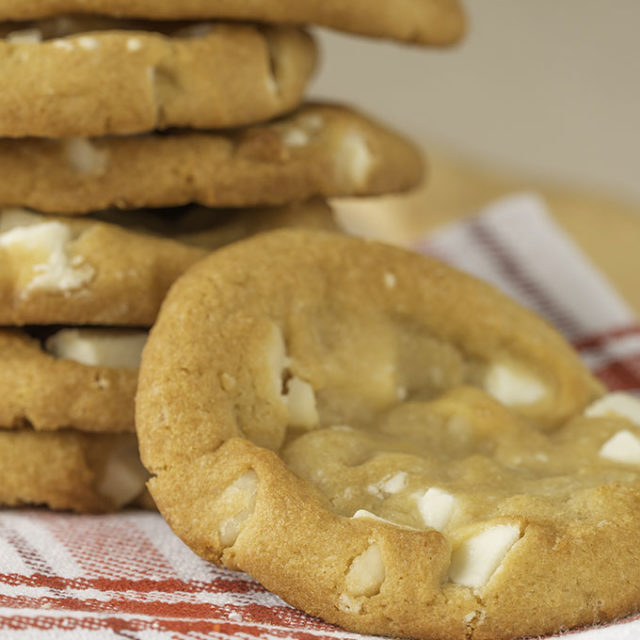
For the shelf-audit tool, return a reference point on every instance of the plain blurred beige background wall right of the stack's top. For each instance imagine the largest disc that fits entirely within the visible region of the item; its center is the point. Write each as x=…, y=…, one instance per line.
x=546, y=87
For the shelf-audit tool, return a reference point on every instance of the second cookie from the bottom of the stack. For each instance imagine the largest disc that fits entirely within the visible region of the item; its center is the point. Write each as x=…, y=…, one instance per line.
x=53, y=379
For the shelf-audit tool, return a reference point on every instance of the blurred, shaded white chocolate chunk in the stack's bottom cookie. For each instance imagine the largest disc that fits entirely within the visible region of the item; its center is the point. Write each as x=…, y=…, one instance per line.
x=123, y=476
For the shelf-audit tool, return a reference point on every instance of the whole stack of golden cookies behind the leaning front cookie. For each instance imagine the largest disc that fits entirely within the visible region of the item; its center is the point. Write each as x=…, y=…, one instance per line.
x=110, y=109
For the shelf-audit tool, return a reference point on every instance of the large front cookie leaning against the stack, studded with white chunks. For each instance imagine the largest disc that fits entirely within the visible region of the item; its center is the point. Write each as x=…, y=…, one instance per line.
x=388, y=443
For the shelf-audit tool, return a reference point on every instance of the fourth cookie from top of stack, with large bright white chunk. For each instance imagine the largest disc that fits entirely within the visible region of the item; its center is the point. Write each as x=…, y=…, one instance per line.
x=84, y=271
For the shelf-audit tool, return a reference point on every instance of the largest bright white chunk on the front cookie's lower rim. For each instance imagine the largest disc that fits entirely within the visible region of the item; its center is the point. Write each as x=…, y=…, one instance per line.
x=477, y=559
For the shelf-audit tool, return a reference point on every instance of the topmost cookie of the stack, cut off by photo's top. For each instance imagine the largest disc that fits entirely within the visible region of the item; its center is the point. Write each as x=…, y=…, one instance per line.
x=435, y=22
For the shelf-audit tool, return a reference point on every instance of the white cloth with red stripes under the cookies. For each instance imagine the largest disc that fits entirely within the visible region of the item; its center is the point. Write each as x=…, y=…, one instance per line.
x=127, y=576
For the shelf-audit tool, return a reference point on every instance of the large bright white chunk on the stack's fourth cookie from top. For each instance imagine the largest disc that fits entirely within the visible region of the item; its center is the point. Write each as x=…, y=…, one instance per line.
x=46, y=247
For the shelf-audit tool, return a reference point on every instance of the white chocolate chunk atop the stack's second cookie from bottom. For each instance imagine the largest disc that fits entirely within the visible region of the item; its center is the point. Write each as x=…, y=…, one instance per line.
x=99, y=347
